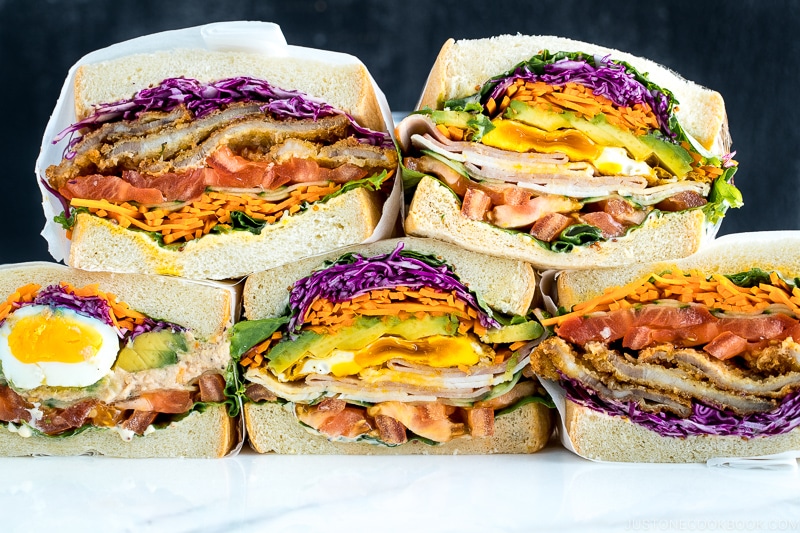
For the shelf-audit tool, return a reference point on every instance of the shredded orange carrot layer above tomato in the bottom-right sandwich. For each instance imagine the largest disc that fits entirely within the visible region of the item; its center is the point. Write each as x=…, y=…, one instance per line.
x=717, y=292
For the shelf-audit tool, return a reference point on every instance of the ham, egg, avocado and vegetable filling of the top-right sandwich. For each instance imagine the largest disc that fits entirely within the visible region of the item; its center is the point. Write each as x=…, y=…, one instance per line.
x=567, y=148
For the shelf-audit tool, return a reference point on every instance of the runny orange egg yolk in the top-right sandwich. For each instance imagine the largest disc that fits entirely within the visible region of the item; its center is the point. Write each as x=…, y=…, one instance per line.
x=518, y=137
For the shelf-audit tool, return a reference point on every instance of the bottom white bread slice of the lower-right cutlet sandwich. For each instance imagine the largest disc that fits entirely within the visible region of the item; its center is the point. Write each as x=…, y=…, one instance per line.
x=602, y=437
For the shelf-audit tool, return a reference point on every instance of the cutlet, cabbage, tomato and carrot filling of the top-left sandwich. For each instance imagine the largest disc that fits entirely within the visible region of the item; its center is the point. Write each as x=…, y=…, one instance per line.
x=185, y=158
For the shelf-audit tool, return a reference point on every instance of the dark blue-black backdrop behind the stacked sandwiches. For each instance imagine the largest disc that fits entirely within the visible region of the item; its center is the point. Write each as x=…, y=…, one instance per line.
x=746, y=50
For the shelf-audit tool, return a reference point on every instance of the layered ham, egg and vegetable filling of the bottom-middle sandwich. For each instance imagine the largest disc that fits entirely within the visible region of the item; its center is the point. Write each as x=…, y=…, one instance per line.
x=389, y=348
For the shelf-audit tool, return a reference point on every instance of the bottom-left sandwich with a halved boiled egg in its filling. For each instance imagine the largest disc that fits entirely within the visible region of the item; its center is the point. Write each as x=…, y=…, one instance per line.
x=113, y=364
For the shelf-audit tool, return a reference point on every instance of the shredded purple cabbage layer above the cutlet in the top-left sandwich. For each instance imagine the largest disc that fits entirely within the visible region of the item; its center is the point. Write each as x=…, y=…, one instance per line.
x=201, y=99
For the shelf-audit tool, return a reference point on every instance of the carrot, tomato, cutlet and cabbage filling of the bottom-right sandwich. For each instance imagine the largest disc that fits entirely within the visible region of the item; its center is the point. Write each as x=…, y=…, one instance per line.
x=682, y=353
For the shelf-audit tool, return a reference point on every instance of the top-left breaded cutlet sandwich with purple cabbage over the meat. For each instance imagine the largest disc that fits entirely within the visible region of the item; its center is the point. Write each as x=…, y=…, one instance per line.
x=211, y=164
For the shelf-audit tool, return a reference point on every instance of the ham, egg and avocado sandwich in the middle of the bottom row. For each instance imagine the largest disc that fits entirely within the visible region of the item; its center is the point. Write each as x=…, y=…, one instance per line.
x=405, y=346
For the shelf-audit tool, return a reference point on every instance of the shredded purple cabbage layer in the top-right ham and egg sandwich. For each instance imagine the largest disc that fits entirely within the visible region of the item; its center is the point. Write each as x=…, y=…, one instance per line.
x=604, y=78
